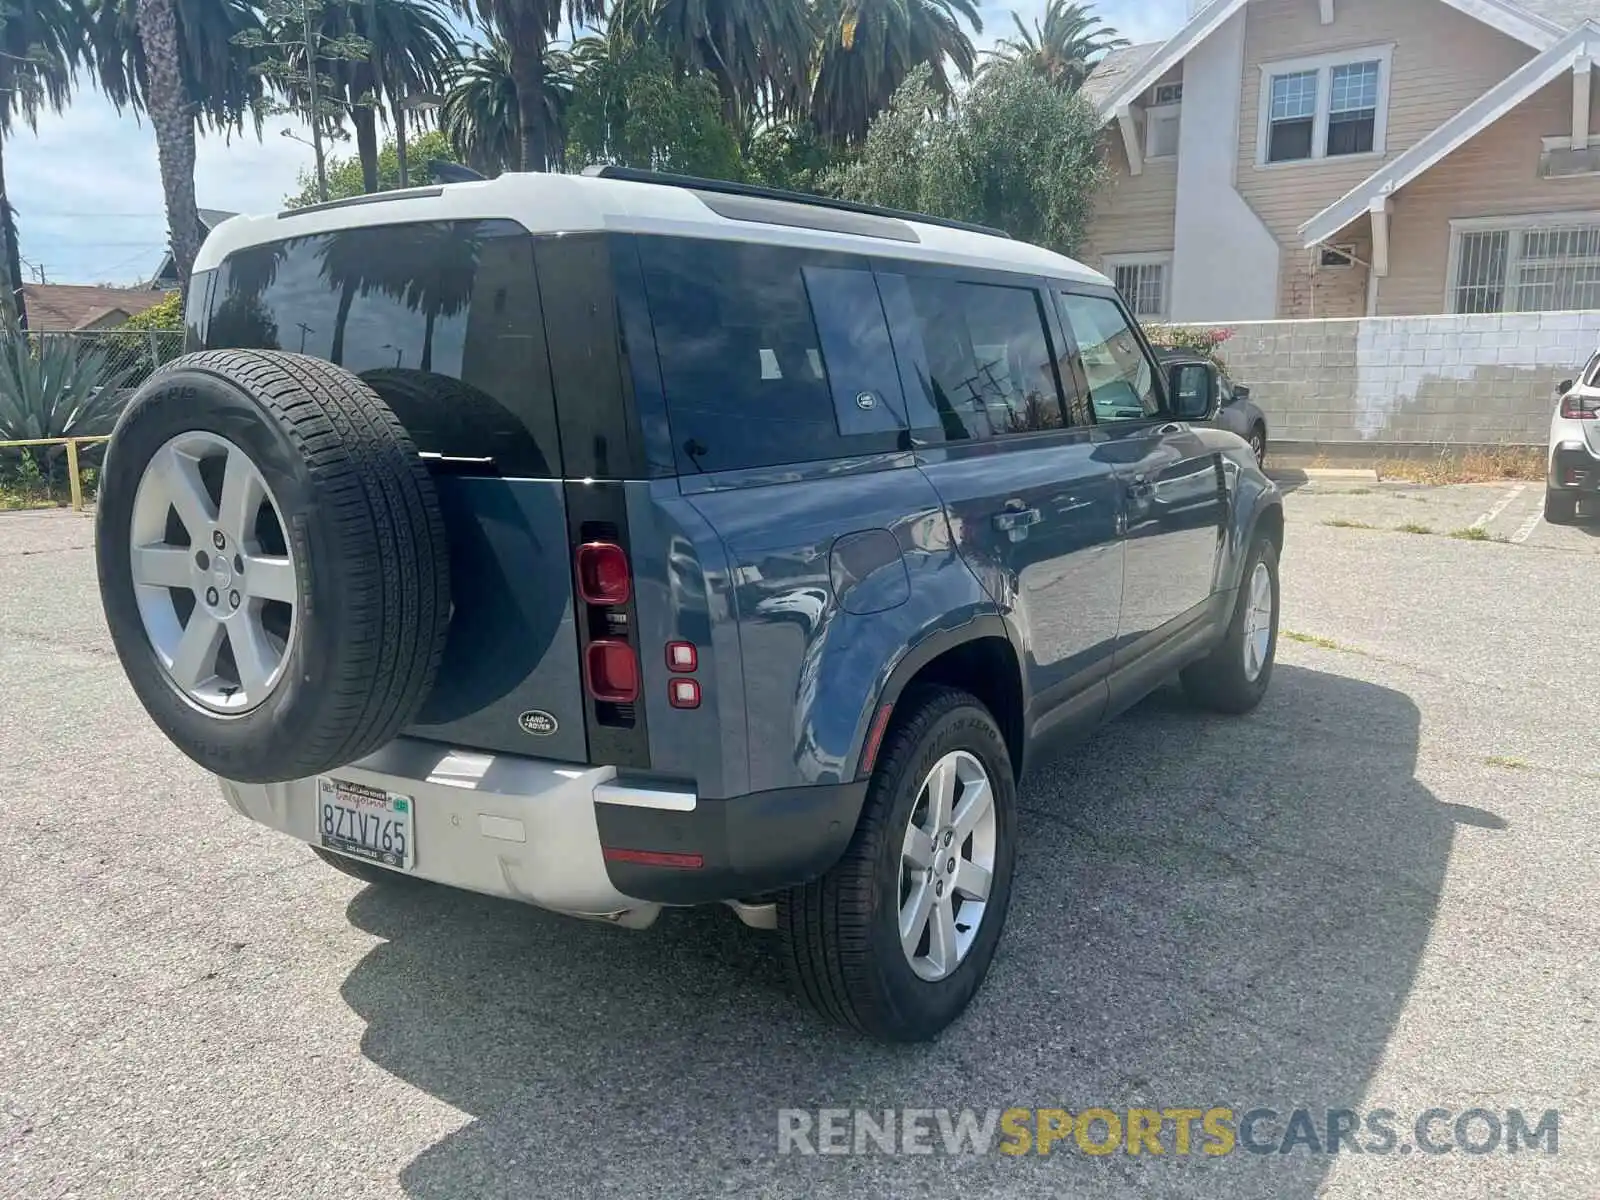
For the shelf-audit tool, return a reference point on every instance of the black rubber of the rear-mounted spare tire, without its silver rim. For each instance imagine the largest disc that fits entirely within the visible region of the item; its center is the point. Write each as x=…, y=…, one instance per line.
x=364, y=527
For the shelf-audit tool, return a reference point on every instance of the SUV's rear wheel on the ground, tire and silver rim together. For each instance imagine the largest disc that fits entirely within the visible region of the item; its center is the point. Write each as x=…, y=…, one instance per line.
x=898, y=937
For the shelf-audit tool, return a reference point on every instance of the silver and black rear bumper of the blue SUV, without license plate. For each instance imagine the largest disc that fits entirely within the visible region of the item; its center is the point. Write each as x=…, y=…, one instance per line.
x=577, y=839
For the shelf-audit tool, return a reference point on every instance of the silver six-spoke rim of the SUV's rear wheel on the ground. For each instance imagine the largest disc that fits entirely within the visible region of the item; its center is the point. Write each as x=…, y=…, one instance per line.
x=948, y=863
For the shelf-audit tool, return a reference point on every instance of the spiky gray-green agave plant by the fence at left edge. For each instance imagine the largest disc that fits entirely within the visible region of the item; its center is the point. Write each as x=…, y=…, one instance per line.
x=55, y=386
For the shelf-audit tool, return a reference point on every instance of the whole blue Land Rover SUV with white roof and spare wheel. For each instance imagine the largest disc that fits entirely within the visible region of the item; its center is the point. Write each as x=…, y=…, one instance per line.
x=625, y=542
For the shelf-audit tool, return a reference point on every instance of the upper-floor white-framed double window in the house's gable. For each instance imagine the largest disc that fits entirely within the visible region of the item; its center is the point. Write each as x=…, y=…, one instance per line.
x=1324, y=108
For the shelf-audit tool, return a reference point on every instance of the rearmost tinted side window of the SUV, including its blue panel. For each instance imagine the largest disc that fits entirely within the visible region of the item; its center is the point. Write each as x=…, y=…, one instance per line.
x=750, y=377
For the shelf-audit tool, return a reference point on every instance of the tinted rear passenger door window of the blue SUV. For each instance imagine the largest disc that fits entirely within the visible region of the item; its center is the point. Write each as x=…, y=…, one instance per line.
x=975, y=356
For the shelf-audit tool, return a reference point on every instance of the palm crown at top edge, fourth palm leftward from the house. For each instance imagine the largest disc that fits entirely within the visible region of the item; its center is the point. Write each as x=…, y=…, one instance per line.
x=758, y=50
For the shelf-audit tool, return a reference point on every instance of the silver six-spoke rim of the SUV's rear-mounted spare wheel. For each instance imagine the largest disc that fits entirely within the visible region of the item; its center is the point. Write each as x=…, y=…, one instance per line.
x=214, y=574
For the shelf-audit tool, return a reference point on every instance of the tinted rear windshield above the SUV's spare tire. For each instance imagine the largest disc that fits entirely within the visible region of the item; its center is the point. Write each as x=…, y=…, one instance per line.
x=441, y=319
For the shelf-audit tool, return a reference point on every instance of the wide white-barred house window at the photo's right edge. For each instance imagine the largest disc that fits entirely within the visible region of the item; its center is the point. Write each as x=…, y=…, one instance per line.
x=1545, y=263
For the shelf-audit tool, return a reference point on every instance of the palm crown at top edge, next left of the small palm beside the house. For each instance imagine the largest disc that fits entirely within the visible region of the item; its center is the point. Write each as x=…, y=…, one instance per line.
x=870, y=47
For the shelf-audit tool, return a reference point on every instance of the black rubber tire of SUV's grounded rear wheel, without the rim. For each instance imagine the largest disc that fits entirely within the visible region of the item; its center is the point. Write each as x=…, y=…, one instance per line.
x=841, y=938
